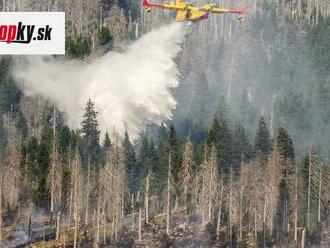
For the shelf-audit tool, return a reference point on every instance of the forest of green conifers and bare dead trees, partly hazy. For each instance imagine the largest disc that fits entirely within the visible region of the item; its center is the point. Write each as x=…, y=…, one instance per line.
x=243, y=161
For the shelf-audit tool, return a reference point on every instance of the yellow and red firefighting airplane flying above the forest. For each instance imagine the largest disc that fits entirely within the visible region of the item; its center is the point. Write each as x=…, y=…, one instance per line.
x=186, y=11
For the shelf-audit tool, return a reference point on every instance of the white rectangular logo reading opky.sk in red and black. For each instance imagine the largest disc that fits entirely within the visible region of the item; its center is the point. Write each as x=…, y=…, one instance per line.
x=32, y=32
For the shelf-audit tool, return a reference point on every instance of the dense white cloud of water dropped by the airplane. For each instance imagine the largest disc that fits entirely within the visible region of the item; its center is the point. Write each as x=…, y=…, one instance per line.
x=129, y=89
